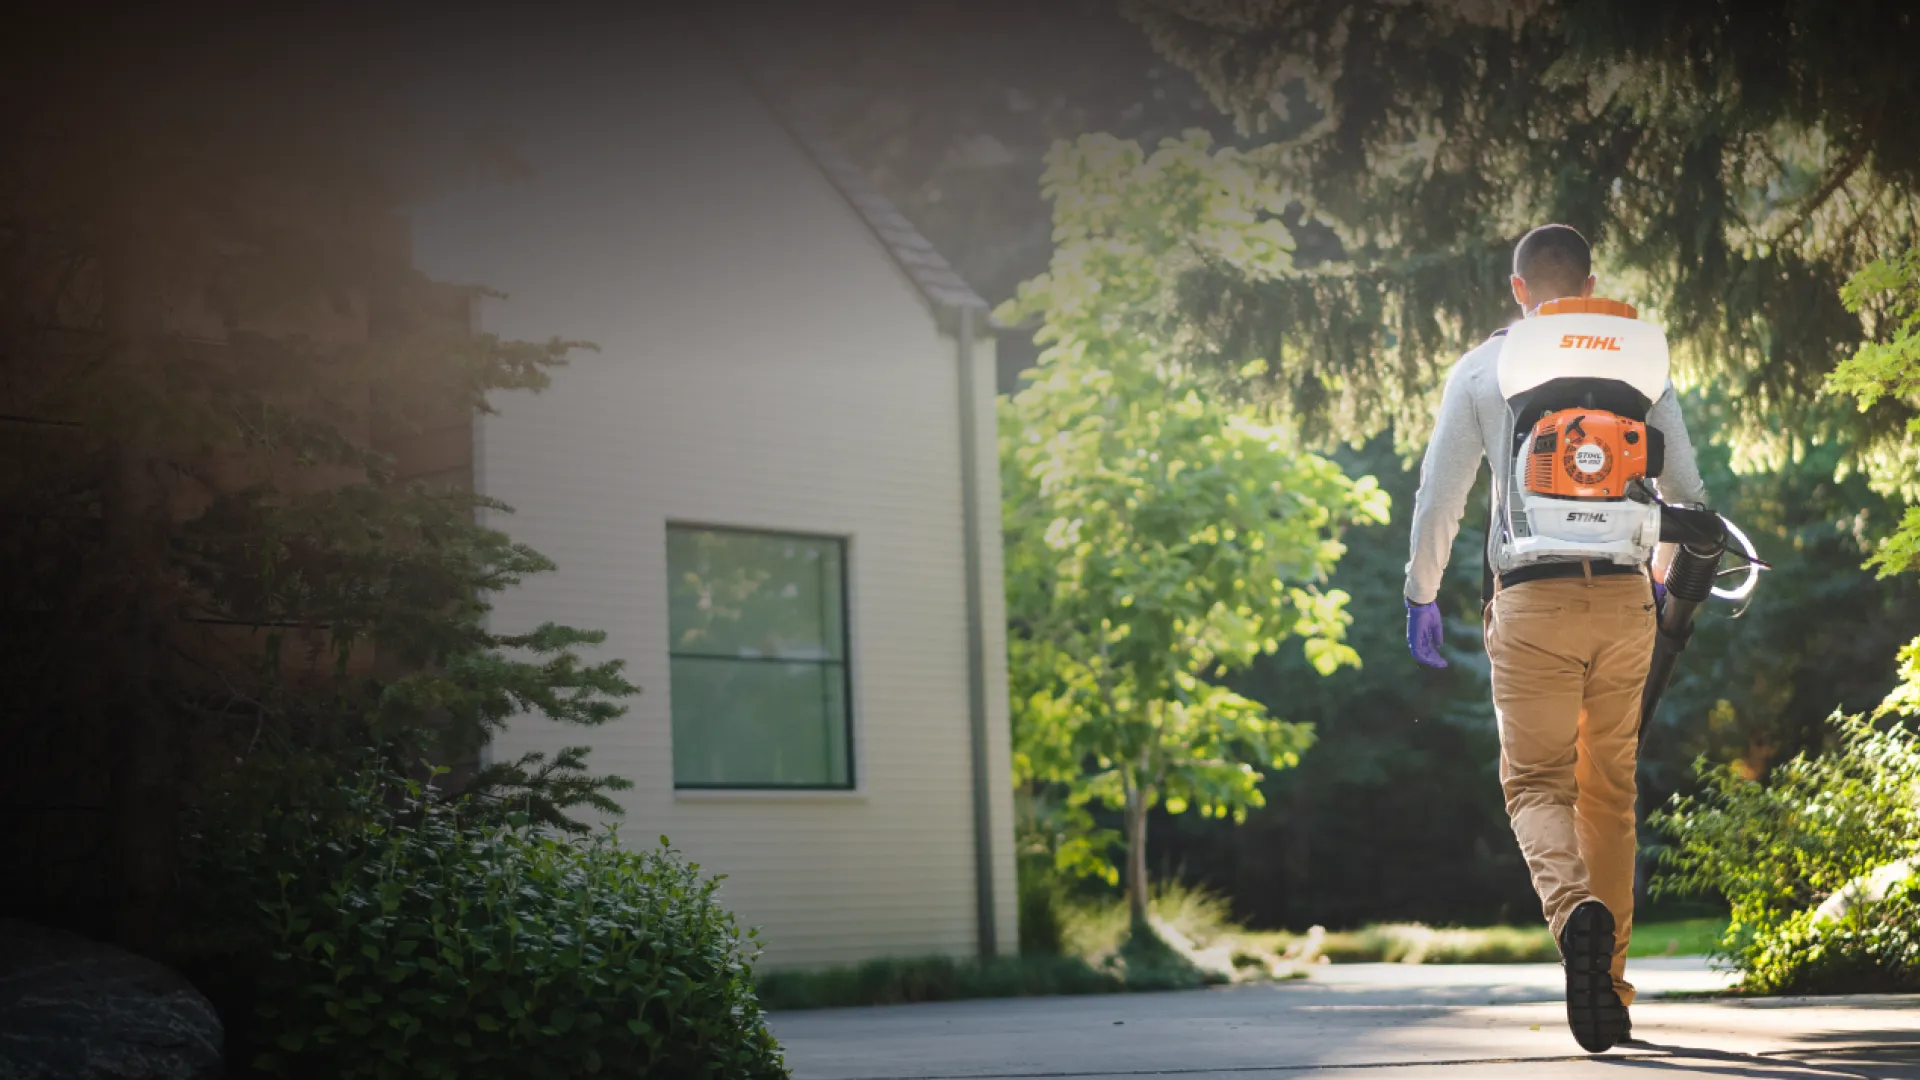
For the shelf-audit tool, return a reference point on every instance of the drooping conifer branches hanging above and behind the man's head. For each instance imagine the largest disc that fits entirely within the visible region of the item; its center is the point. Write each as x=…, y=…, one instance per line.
x=1733, y=164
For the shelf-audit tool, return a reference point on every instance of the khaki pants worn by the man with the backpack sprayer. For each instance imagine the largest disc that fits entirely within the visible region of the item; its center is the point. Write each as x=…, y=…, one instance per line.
x=1570, y=666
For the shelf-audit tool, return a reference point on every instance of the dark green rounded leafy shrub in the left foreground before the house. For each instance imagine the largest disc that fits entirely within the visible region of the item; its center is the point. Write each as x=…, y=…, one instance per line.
x=385, y=931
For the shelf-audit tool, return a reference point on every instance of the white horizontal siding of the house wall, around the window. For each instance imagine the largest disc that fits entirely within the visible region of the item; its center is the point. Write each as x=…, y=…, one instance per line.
x=761, y=364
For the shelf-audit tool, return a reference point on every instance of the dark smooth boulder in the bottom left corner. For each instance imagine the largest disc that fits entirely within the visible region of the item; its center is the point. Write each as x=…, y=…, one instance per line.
x=76, y=1010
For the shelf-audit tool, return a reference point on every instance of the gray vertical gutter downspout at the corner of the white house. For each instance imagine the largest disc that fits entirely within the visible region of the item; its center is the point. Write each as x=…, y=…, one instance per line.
x=976, y=649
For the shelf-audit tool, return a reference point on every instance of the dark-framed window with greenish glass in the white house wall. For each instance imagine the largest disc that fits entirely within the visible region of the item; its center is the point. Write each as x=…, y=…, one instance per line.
x=759, y=660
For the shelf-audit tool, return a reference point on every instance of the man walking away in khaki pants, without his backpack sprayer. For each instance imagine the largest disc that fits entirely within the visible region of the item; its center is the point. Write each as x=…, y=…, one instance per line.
x=1570, y=645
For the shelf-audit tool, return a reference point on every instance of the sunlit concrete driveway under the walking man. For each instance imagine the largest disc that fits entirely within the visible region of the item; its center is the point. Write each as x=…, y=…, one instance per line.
x=1366, y=1023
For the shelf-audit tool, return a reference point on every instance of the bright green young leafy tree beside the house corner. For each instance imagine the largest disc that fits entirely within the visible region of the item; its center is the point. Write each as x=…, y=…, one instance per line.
x=1157, y=539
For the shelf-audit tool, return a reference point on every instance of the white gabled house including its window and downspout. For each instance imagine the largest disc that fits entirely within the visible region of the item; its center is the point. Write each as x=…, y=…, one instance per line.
x=773, y=487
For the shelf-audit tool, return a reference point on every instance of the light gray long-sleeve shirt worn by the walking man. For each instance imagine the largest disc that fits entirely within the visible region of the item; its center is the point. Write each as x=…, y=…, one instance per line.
x=1472, y=428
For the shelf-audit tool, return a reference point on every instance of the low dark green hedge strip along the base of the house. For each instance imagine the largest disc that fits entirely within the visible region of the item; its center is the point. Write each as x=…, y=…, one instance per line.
x=932, y=979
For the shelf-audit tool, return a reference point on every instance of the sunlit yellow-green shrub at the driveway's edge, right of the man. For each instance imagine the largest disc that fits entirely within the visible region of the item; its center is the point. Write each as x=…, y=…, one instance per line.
x=1779, y=848
